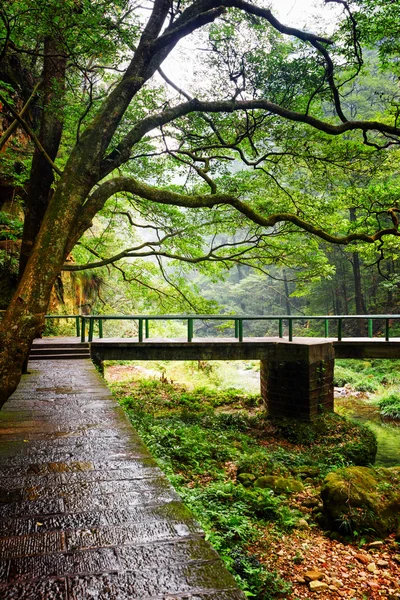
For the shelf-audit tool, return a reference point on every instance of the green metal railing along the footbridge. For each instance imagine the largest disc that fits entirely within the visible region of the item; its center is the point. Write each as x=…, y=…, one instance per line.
x=87, y=322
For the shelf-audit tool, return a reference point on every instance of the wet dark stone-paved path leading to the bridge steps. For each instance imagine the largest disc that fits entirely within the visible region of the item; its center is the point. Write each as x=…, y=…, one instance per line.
x=85, y=513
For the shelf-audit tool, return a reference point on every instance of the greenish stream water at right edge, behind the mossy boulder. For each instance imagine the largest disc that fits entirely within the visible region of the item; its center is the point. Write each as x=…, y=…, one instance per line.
x=387, y=433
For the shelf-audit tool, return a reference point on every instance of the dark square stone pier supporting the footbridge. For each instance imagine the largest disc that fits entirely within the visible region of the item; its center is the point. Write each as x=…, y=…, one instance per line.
x=297, y=380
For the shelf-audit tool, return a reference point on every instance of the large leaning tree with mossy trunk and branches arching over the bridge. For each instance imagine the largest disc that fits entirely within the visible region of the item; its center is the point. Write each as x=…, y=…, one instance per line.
x=266, y=93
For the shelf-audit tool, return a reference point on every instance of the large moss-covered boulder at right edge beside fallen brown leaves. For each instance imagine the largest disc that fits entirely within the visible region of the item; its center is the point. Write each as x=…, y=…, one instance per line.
x=362, y=499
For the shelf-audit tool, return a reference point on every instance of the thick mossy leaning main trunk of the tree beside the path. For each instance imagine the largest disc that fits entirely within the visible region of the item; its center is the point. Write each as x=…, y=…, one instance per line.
x=24, y=318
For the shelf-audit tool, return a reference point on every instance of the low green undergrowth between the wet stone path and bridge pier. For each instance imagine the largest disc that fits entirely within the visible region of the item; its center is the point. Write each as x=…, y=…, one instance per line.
x=207, y=440
